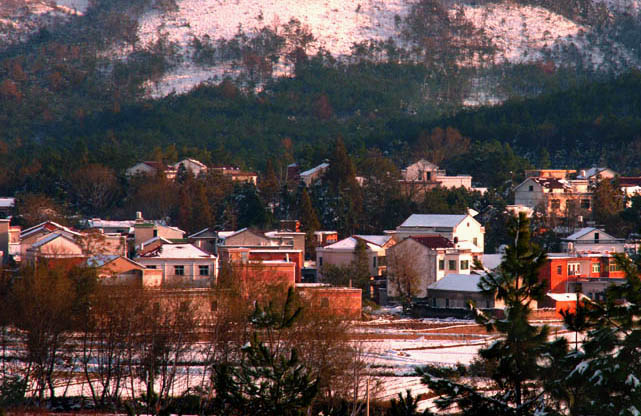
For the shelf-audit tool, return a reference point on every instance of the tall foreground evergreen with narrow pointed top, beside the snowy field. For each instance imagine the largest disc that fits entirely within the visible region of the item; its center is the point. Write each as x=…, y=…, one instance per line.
x=515, y=360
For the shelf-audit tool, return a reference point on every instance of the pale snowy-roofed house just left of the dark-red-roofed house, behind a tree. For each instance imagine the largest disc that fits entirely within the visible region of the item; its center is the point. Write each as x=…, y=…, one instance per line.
x=343, y=253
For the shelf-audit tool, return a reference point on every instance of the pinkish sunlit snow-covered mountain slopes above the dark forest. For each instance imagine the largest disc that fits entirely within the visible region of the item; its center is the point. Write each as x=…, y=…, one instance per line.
x=520, y=31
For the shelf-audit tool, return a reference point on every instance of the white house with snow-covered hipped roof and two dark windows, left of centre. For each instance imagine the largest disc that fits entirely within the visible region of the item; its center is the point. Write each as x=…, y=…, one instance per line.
x=182, y=264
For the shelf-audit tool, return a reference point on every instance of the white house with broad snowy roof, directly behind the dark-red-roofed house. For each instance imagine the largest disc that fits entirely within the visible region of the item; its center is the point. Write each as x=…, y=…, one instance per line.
x=462, y=230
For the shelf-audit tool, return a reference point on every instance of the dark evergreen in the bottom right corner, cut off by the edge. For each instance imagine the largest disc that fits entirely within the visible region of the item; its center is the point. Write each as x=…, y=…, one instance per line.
x=602, y=375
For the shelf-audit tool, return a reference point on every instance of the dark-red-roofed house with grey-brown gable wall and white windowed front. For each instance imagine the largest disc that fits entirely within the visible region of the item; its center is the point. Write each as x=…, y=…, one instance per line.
x=418, y=261
